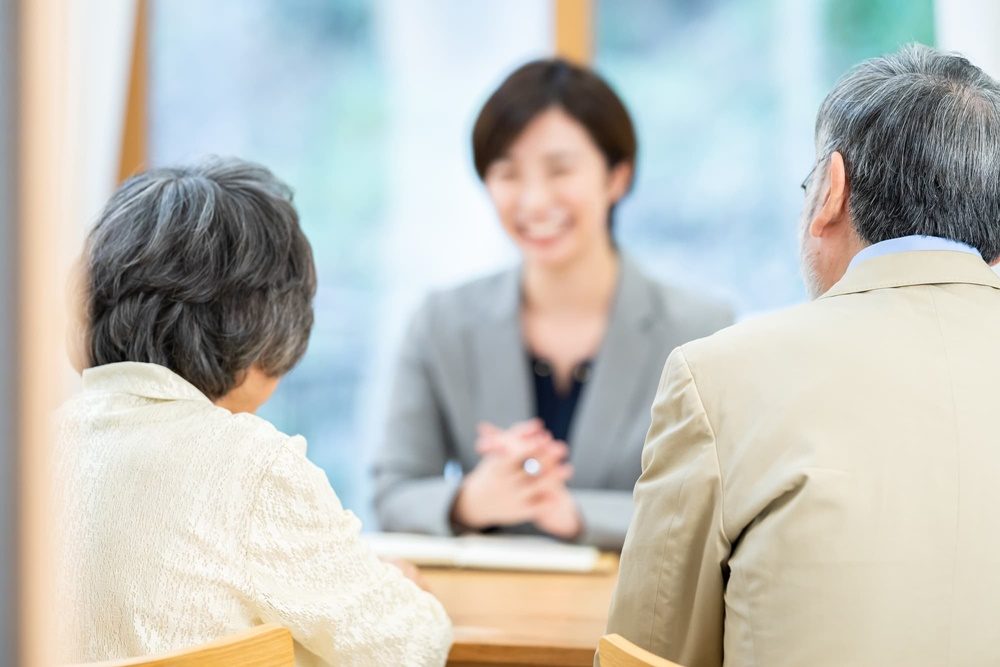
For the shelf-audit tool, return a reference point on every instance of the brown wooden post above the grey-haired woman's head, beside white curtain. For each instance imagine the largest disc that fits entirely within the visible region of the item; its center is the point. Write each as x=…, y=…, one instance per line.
x=135, y=129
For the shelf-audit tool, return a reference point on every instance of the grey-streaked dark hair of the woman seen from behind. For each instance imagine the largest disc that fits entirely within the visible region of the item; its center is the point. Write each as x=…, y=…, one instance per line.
x=203, y=270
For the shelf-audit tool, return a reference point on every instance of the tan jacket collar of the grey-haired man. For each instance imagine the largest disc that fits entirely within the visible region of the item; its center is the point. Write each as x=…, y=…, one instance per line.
x=928, y=267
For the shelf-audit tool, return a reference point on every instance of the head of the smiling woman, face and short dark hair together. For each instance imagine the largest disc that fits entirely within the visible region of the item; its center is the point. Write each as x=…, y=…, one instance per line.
x=556, y=149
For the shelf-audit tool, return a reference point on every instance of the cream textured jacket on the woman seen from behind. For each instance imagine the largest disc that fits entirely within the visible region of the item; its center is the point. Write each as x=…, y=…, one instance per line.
x=180, y=522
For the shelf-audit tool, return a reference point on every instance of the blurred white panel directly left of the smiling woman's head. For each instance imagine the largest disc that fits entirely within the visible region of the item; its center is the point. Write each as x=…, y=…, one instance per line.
x=443, y=58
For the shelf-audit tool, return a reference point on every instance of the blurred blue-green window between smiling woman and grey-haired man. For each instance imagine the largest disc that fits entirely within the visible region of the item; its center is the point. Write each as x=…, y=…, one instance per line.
x=725, y=94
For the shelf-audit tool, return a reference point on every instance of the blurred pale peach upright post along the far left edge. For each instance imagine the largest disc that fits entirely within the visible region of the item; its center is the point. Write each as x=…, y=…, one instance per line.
x=46, y=212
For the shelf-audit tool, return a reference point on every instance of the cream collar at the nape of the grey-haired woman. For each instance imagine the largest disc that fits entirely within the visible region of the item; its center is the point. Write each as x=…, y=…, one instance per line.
x=139, y=379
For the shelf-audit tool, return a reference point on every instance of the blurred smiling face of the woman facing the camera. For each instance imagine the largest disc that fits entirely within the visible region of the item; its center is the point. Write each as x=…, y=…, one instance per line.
x=552, y=190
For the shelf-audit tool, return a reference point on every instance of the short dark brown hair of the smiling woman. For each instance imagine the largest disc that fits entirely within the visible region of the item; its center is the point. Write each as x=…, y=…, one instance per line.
x=540, y=85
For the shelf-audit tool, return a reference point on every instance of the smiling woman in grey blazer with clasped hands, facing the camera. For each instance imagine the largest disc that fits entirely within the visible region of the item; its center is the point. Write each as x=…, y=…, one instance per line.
x=537, y=381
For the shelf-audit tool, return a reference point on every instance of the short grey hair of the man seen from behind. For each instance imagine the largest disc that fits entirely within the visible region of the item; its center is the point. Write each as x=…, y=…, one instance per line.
x=920, y=134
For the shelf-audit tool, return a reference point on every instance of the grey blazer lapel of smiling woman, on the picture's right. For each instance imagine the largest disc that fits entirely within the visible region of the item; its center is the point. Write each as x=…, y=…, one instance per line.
x=605, y=403
